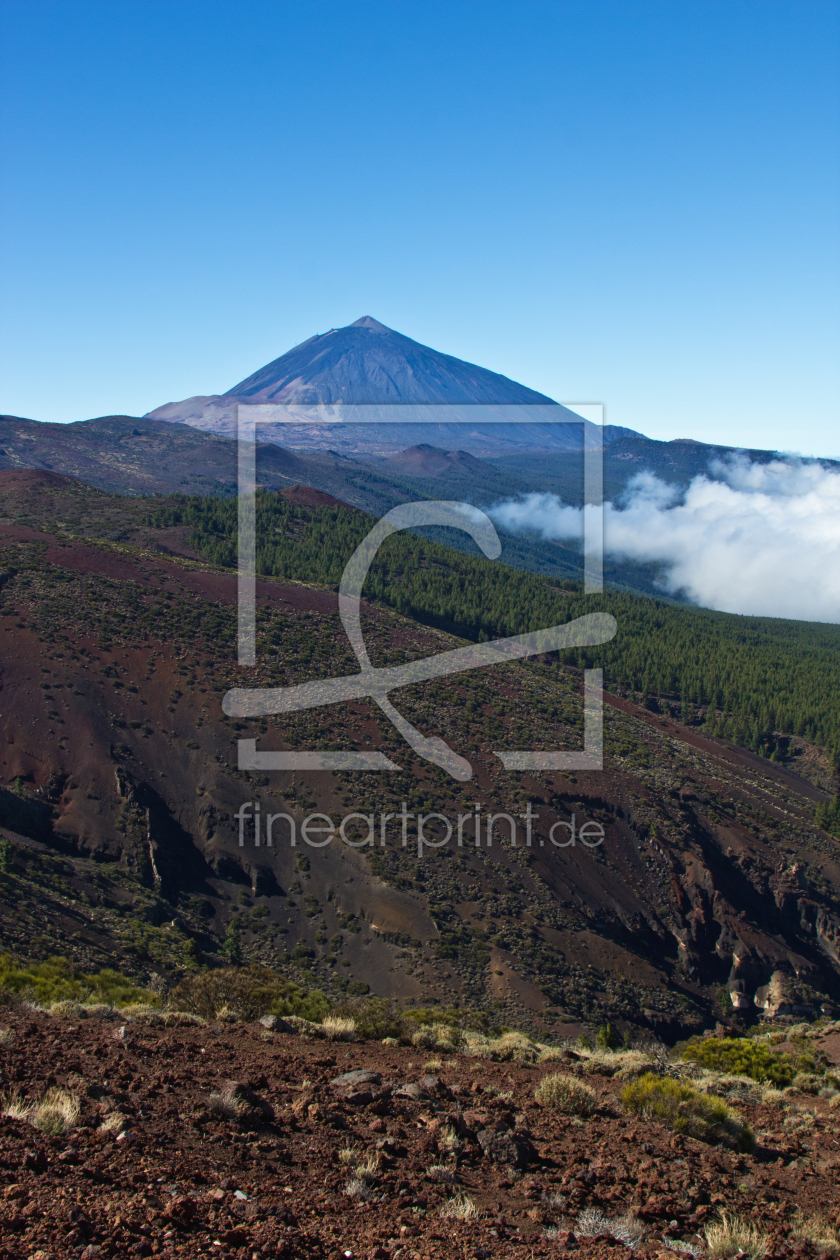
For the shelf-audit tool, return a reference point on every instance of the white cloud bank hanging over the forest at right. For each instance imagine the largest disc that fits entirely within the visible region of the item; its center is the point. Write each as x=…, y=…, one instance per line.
x=754, y=539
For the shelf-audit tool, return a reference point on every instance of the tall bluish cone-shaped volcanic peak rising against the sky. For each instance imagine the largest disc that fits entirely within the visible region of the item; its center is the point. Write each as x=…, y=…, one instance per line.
x=371, y=365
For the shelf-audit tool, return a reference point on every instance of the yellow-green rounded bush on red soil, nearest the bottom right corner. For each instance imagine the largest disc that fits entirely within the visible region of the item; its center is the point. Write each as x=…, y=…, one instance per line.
x=683, y=1109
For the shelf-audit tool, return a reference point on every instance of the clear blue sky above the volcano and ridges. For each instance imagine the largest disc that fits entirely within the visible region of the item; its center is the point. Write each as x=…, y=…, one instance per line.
x=623, y=202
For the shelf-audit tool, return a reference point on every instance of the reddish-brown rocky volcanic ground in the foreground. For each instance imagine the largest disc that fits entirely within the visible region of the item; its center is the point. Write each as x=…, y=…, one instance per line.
x=230, y=1141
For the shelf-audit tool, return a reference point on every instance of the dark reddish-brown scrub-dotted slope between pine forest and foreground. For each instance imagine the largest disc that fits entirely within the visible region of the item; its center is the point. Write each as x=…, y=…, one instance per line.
x=115, y=747
